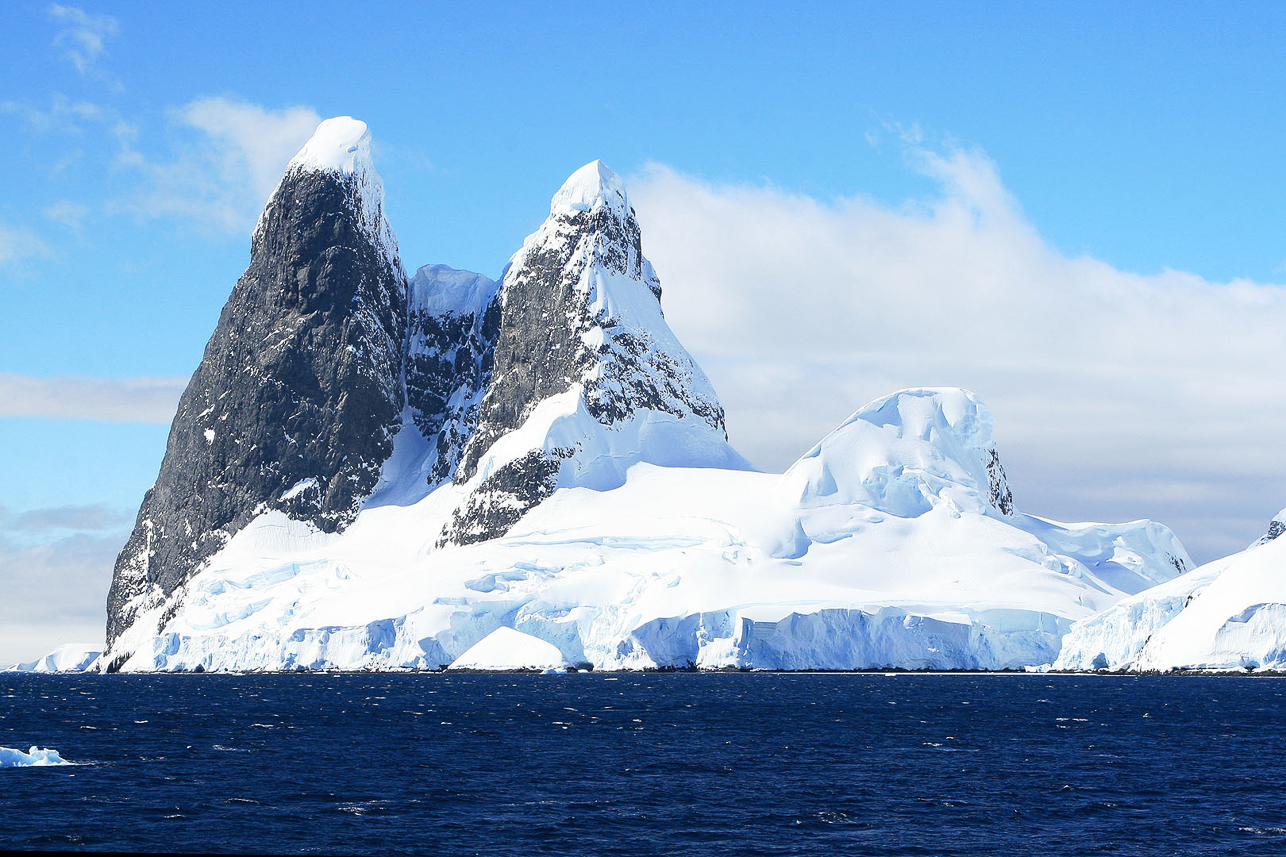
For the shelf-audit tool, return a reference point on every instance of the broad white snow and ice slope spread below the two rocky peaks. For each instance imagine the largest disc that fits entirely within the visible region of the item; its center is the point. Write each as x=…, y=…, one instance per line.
x=893, y=544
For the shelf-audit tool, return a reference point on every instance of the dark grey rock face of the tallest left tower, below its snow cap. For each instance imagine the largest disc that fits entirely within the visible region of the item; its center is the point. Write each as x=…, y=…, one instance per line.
x=299, y=396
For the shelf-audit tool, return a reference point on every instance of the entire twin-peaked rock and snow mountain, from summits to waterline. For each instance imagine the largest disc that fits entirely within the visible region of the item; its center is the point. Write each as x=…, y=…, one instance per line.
x=543, y=463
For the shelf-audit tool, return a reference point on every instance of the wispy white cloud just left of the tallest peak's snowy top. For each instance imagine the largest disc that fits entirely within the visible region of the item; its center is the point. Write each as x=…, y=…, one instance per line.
x=227, y=164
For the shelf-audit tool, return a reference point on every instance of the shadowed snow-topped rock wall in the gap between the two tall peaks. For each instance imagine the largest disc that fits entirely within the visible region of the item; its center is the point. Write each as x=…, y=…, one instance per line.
x=455, y=320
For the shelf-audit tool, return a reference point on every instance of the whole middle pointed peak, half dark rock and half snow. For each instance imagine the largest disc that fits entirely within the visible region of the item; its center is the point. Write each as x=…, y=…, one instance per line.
x=587, y=378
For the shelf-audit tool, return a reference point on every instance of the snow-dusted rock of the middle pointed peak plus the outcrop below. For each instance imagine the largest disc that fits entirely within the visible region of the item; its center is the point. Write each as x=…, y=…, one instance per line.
x=579, y=311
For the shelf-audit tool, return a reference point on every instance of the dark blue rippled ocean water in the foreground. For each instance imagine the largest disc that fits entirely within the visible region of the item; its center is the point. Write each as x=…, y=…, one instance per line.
x=660, y=764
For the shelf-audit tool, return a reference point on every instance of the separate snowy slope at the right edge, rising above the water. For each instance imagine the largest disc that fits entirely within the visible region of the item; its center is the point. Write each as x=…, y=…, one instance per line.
x=1229, y=614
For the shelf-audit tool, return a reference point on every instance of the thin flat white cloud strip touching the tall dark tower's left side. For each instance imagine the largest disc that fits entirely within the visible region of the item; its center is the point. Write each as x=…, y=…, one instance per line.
x=142, y=400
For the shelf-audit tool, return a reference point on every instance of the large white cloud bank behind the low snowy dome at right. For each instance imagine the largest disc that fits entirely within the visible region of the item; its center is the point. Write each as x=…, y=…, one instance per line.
x=1117, y=394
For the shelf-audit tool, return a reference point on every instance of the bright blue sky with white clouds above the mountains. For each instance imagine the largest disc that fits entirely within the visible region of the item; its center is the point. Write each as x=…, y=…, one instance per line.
x=1073, y=210
